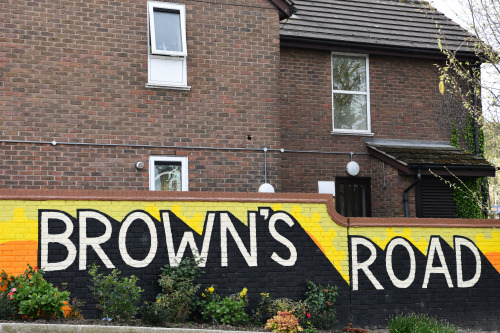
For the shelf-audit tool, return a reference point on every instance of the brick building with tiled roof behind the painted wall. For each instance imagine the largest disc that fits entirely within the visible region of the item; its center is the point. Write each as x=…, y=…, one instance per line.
x=225, y=96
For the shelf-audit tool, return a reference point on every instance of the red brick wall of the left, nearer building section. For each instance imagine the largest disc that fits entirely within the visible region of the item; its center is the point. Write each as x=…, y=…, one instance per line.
x=75, y=71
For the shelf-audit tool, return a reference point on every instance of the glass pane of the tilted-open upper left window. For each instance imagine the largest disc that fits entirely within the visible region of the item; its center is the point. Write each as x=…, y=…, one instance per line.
x=168, y=35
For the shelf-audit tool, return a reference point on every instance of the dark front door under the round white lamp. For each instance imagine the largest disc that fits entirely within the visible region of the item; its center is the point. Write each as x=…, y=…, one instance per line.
x=352, y=197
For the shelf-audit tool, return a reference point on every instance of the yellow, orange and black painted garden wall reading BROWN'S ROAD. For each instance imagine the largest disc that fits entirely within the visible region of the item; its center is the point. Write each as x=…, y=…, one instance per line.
x=265, y=242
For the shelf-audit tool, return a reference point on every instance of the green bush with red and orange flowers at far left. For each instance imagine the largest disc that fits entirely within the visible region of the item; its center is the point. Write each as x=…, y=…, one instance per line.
x=33, y=296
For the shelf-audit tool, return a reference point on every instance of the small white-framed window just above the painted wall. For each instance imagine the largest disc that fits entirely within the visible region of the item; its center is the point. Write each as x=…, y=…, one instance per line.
x=168, y=173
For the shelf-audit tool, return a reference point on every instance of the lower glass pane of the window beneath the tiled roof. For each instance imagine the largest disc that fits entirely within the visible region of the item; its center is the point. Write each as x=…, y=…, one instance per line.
x=349, y=112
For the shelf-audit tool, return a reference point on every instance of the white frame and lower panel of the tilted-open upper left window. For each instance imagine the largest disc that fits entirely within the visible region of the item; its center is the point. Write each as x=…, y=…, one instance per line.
x=164, y=57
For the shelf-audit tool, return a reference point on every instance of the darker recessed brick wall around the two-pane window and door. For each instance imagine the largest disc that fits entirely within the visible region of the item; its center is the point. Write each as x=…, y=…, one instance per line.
x=404, y=98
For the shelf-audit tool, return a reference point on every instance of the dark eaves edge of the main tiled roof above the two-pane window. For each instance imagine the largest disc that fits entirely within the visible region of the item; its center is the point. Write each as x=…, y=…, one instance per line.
x=318, y=44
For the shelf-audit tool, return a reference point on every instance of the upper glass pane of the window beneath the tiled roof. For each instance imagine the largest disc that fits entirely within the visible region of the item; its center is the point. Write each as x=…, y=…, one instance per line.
x=349, y=73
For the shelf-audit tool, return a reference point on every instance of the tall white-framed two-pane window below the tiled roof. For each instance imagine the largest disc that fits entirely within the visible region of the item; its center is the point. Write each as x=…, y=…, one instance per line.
x=350, y=94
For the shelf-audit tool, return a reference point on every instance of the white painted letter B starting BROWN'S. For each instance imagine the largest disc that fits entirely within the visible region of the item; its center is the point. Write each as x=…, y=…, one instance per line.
x=63, y=239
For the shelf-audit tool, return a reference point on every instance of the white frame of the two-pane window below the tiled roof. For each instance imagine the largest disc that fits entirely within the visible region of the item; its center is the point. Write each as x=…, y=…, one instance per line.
x=366, y=132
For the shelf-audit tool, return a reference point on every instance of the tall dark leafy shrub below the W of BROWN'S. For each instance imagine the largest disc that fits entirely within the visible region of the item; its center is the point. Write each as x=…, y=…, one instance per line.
x=178, y=289
